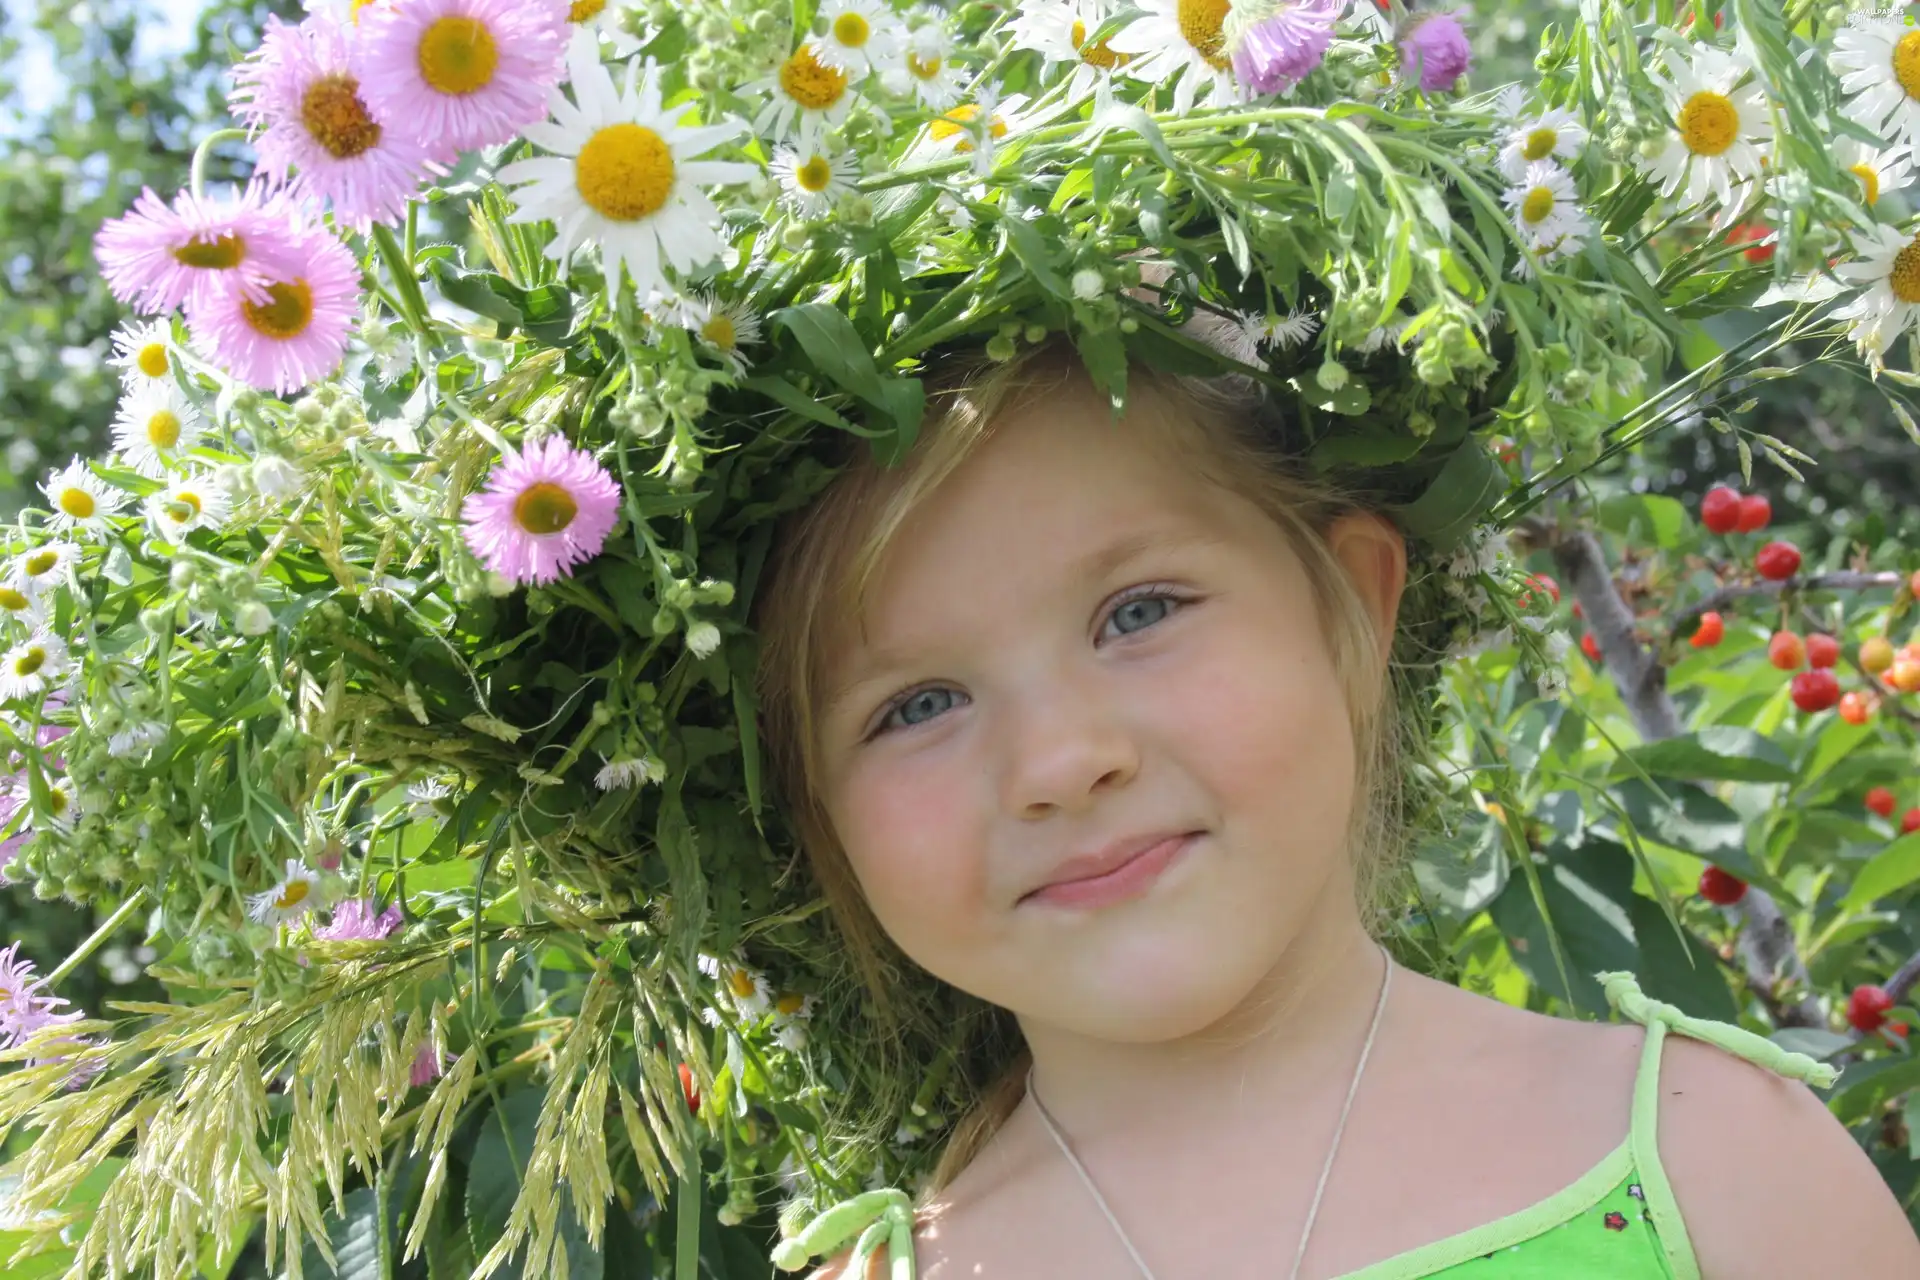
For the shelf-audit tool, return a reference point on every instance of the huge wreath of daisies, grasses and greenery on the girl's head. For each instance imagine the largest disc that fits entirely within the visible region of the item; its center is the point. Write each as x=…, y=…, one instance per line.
x=452, y=648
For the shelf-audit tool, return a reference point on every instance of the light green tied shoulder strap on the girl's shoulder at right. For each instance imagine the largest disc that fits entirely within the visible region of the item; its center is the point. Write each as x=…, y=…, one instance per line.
x=1660, y=1020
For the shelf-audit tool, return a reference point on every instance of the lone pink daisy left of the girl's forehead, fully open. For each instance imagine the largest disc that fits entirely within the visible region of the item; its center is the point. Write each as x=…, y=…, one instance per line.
x=542, y=513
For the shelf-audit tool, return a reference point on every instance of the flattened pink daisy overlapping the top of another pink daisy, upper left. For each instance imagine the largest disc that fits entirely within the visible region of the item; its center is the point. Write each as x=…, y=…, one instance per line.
x=160, y=256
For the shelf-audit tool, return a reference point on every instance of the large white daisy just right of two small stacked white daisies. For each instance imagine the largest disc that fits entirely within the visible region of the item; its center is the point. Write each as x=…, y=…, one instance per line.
x=1719, y=130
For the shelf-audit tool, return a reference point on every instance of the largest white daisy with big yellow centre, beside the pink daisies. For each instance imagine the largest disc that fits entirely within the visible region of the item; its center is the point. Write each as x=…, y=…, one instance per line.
x=623, y=176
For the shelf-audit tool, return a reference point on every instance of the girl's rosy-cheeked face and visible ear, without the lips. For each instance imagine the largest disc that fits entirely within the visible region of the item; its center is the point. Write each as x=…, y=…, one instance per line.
x=1022, y=696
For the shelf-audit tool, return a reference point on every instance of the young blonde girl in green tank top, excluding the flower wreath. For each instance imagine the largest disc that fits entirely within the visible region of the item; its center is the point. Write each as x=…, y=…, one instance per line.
x=1095, y=723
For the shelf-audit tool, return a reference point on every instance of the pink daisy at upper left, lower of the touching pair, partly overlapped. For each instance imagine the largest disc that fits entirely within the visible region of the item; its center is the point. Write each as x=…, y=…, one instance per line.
x=299, y=335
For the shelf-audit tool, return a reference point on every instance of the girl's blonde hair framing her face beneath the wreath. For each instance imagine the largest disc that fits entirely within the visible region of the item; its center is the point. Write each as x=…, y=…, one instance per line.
x=819, y=575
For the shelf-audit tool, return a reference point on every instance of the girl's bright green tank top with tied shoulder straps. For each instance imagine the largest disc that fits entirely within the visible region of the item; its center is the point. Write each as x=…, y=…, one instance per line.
x=1618, y=1223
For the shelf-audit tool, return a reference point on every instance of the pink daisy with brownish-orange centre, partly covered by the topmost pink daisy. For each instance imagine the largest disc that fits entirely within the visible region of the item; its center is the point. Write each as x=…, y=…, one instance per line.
x=322, y=141
